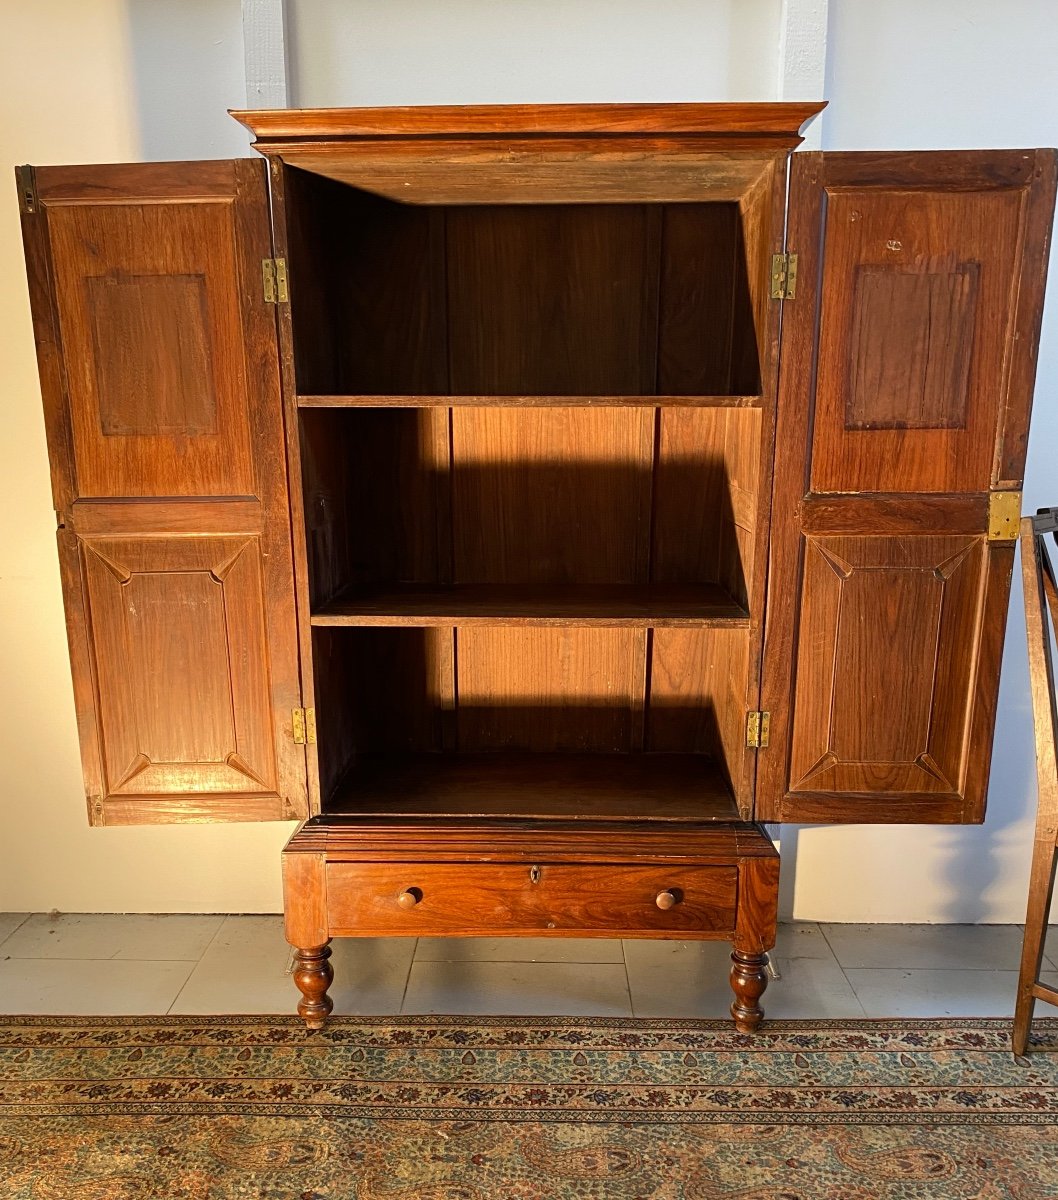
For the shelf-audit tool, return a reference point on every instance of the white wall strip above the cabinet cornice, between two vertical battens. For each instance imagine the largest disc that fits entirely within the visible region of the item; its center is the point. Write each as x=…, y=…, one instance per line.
x=483, y=52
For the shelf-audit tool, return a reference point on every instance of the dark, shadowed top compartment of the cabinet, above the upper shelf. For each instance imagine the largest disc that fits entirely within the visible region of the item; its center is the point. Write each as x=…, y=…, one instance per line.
x=618, y=299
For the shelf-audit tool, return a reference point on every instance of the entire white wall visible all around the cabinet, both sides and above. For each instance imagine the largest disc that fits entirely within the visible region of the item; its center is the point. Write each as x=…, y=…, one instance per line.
x=98, y=81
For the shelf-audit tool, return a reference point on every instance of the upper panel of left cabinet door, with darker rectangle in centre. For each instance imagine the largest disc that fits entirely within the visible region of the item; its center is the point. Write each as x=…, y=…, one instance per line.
x=148, y=299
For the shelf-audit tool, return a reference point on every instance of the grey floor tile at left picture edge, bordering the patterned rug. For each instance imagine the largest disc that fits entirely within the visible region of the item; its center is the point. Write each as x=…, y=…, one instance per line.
x=89, y=987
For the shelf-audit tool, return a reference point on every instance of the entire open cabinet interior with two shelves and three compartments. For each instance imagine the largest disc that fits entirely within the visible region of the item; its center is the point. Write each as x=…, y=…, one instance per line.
x=531, y=441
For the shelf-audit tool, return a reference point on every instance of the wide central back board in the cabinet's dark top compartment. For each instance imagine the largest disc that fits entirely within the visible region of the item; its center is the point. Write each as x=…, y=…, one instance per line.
x=554, y=301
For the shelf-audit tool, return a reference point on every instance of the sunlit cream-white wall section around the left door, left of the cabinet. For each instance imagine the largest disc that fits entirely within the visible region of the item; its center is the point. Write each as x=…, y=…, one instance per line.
x=94, y=82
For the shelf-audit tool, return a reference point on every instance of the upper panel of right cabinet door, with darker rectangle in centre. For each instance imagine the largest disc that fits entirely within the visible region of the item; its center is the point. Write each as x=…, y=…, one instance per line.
x=913, y=339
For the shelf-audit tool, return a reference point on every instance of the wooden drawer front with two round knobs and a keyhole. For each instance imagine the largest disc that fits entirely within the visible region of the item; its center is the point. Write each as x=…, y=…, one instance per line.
x=466, y=899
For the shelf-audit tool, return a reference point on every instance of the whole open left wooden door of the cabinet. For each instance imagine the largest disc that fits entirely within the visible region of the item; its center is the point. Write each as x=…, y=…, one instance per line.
x=160, y=377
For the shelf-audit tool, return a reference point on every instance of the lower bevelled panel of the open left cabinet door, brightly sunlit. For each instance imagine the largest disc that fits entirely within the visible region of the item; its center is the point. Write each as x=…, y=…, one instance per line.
x=179, y=638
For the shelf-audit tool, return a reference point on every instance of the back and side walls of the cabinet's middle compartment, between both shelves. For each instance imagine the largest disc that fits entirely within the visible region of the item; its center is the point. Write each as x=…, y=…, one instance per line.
x=537, y=497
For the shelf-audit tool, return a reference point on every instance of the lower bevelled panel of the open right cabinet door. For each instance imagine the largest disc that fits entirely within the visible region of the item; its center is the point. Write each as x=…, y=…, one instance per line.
x=888, y=637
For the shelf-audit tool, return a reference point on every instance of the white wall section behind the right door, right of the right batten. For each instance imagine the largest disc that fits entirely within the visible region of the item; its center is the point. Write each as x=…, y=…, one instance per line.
x=959, y=74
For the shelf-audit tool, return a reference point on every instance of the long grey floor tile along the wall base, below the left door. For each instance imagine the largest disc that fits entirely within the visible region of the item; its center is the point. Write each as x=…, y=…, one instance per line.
x=149, y=937
